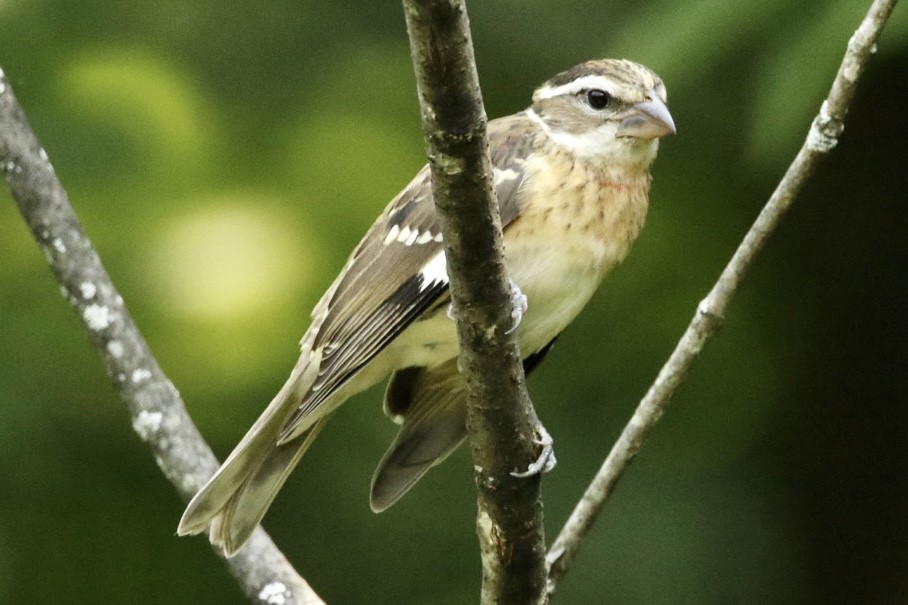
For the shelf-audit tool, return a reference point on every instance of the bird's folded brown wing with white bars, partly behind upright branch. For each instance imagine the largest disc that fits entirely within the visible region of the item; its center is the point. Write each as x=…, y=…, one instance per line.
x=380, y=291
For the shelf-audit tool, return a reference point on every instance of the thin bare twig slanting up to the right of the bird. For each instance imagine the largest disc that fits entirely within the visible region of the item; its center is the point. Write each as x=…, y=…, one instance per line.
x=821, y=139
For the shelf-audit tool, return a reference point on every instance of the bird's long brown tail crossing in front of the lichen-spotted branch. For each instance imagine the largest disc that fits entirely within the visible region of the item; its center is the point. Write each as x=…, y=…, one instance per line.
x=236, y=498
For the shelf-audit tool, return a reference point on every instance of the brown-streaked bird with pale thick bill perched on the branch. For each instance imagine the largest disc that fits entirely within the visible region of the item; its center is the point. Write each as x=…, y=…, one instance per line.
x=572, y=178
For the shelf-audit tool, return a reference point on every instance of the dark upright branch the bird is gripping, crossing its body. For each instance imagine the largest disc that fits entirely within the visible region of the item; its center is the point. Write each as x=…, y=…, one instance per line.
x=501, y=419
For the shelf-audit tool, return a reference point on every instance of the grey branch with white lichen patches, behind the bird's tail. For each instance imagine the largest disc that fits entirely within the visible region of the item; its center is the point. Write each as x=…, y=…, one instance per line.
x=158, y=414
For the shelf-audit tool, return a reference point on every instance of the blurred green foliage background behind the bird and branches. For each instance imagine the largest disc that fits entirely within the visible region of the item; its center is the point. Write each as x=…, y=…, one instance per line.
x=225, y=157
